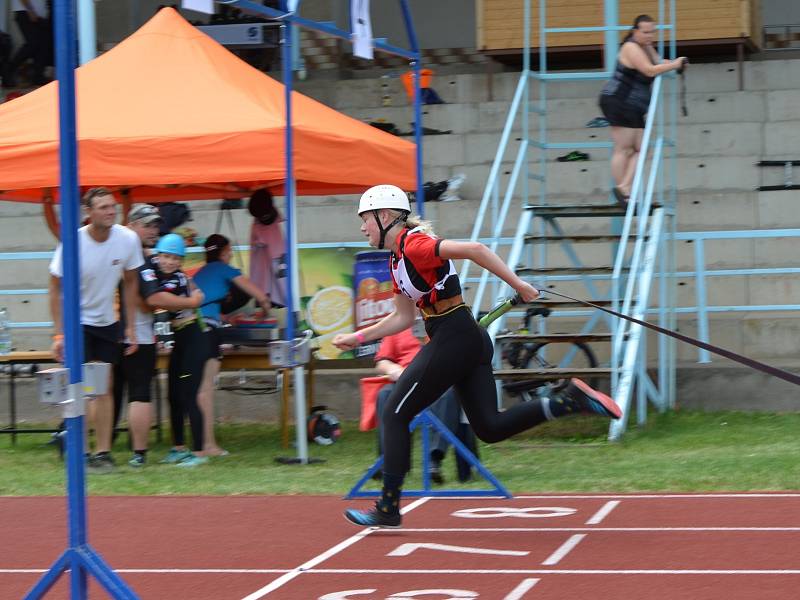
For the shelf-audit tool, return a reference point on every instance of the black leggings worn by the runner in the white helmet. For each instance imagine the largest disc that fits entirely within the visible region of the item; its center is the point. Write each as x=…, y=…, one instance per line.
x=459, y=355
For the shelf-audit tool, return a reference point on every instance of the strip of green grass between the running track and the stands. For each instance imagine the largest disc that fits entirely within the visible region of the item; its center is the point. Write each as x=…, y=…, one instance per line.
x=683, y=451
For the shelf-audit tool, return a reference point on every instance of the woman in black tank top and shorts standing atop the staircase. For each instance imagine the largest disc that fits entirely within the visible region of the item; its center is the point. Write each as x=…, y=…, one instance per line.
x=626, y=98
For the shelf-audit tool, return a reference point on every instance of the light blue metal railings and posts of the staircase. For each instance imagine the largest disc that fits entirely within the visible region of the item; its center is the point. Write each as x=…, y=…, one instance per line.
x=639, y=265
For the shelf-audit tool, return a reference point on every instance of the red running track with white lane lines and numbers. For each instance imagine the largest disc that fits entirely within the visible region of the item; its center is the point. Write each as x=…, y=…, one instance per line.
x=603, y=547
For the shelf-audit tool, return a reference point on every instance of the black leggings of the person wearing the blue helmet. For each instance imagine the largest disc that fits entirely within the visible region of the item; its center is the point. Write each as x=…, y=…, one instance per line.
x=185, y=376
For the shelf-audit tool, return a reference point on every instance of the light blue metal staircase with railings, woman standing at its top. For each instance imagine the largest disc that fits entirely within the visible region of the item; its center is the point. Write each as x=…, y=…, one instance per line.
x=632, y=239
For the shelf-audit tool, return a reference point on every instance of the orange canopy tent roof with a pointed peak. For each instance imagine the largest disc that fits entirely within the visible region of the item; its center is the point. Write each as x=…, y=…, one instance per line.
x=169, y=114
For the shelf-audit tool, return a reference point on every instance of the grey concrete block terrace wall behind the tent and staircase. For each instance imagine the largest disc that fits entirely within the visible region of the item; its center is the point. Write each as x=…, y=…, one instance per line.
x=726, y=133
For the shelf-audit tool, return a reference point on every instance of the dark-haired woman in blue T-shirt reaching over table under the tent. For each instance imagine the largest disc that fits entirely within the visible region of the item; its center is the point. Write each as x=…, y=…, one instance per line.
x=217, y=279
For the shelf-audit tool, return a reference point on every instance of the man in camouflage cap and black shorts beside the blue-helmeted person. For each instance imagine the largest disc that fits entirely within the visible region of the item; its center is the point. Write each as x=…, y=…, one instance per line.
x=136, y=370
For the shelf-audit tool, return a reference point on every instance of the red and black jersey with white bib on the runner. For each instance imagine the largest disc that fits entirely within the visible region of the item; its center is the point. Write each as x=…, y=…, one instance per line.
x=419, y=272
